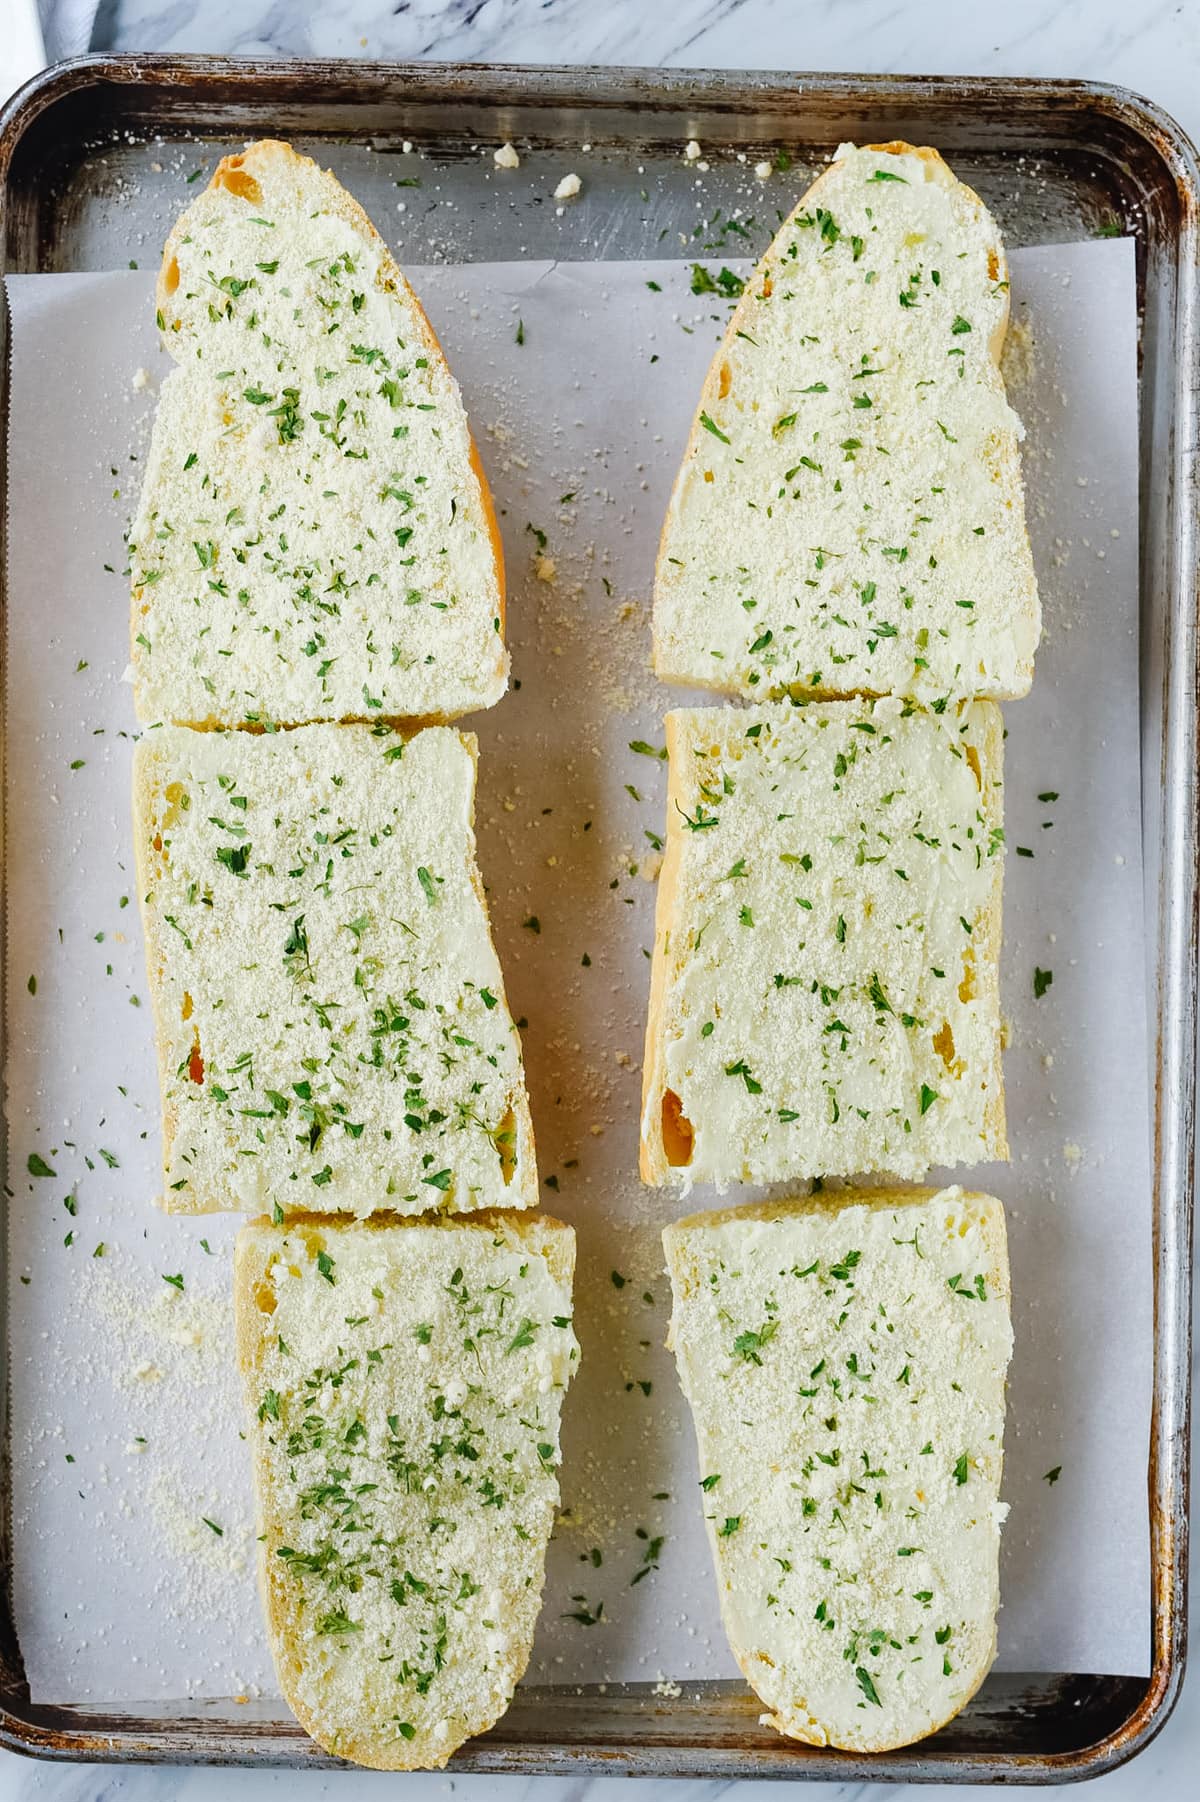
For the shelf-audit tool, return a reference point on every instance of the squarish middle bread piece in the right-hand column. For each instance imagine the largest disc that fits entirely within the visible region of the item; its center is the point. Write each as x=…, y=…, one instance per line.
x=824, y=992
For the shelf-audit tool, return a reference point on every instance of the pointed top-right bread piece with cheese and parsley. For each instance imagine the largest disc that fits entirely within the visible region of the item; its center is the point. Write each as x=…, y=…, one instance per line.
x=850, y=516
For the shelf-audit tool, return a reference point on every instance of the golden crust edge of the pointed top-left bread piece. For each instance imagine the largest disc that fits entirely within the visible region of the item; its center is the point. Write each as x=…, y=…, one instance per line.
x=233, y=174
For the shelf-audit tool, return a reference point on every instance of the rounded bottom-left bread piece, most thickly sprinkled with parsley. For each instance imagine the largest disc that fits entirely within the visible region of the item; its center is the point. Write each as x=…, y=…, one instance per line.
x=405, y=1383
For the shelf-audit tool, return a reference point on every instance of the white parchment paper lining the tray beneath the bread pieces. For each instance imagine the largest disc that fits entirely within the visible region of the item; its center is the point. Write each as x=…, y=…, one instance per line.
x=125, y=1414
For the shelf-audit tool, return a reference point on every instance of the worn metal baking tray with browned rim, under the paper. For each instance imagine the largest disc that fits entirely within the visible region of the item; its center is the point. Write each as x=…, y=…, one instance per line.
x=1055, y=161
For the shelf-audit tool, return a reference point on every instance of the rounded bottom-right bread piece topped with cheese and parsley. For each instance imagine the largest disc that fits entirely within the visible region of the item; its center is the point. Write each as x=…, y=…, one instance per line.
x=846, y=1376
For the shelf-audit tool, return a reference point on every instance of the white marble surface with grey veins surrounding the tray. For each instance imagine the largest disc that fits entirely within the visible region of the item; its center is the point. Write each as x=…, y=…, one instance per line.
x=1152, y=48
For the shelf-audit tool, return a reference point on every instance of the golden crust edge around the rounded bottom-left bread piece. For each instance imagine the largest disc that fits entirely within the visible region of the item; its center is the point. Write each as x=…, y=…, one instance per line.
x=545, y=1235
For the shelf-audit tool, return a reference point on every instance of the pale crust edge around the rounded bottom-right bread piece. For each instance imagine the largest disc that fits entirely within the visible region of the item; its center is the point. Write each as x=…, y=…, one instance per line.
x=799, y=1725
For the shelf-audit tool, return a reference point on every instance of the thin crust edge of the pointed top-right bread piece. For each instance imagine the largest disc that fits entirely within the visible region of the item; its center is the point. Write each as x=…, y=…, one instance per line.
x=943, y=176
